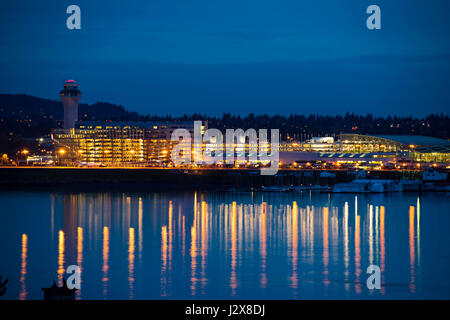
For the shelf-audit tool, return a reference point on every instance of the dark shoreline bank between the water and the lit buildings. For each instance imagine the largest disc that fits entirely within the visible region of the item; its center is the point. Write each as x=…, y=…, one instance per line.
x=176, y=179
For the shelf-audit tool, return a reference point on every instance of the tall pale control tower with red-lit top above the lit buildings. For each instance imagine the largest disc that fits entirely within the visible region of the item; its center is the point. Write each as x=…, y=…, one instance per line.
x=70, y=96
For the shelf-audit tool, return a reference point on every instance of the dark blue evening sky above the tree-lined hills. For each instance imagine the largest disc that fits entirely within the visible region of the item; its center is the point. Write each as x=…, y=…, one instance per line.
x=210, y=56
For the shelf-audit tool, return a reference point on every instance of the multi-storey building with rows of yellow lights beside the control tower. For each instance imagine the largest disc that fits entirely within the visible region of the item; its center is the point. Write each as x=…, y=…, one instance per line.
x=116, y=143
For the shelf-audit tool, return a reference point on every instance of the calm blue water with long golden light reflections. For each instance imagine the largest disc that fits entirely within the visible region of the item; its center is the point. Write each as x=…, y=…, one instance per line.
x=186, y=245
